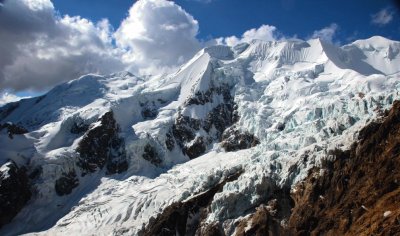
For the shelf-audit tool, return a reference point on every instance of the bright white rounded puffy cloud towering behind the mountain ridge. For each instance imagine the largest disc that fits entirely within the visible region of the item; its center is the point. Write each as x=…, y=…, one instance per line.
x=157, y=34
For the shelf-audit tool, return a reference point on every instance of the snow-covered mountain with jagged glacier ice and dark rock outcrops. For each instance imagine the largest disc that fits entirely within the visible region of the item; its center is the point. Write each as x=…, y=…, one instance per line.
x=108, y=155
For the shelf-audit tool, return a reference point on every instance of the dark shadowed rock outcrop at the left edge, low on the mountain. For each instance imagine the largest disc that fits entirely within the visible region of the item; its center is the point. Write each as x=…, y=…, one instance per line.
x=15, y=191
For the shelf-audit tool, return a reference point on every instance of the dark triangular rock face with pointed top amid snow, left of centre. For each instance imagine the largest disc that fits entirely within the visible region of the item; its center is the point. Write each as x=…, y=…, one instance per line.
x=101, y=146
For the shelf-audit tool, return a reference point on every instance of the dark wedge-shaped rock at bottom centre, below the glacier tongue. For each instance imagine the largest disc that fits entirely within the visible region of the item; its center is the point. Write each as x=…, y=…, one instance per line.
x=185, y=218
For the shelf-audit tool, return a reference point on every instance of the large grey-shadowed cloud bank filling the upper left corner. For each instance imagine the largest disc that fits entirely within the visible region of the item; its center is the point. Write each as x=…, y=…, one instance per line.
x=40, y=48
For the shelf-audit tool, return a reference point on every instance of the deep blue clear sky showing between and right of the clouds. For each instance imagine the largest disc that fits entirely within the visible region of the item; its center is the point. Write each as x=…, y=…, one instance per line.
x=220, y=18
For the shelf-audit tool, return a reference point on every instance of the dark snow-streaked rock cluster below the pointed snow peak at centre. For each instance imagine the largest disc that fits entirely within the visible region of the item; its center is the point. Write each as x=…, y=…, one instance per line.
x=189, y=133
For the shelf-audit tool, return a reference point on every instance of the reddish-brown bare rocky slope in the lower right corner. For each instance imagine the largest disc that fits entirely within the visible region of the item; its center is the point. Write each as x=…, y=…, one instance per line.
x=350, y=195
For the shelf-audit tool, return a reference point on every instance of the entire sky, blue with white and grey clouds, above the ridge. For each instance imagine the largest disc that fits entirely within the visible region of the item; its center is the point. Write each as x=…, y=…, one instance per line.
x=48, y=42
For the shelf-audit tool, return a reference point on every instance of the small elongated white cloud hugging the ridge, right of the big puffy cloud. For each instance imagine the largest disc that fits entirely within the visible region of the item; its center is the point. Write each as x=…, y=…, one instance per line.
x=264, y=32
